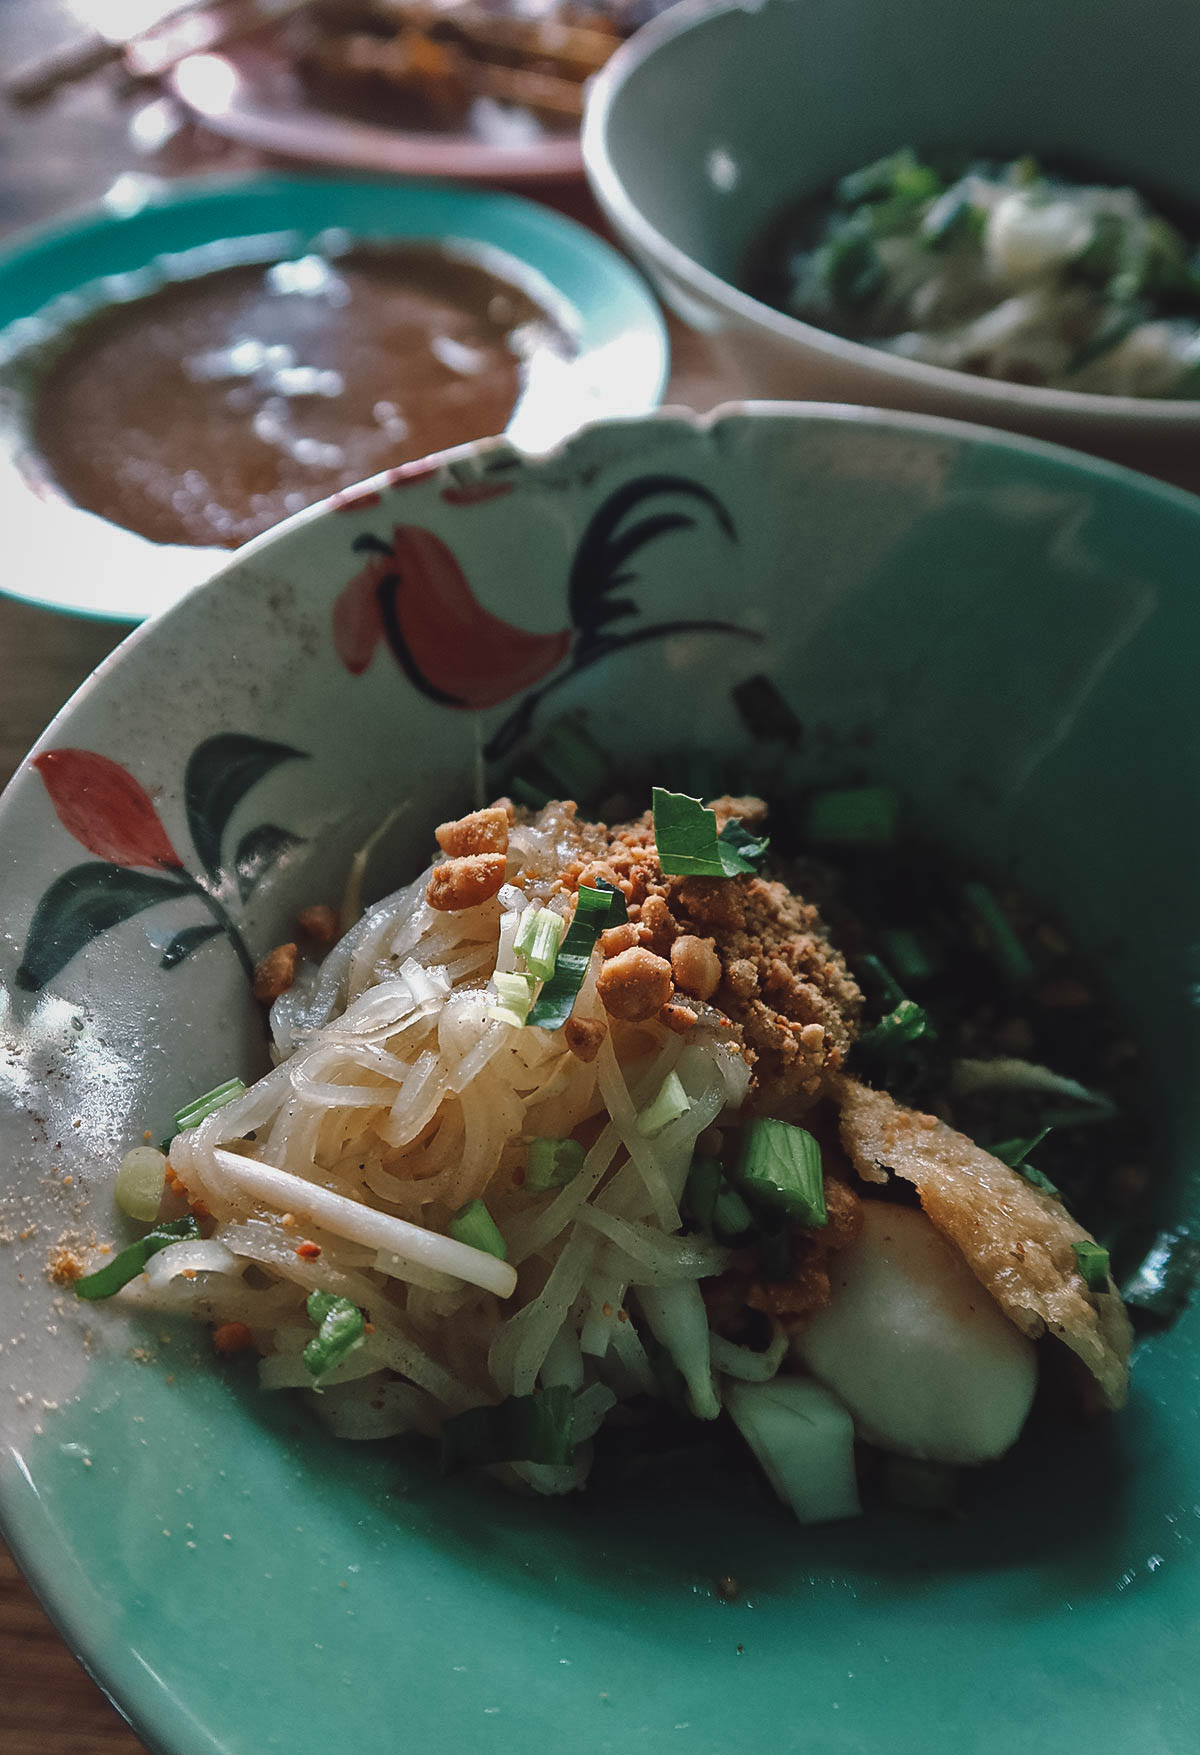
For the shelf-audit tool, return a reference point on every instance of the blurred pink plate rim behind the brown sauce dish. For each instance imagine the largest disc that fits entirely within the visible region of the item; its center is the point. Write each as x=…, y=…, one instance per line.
x=252, y=94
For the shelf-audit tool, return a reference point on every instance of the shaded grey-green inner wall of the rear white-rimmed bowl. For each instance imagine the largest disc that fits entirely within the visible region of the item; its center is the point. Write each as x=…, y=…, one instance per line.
x=782, y=99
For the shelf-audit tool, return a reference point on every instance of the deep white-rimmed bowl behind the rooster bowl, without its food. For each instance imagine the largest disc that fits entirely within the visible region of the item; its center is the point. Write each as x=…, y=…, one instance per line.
x=717, y=117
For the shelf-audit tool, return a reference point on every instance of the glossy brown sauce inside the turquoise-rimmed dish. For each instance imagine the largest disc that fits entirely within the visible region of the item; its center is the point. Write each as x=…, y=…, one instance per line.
x=210, y=410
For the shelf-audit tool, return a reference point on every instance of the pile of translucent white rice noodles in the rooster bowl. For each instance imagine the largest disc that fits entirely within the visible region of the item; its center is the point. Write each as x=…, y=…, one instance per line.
x=397, y=1101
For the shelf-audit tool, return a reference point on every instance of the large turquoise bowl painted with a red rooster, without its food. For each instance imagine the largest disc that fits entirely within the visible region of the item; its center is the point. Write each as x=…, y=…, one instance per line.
x=1011, y=633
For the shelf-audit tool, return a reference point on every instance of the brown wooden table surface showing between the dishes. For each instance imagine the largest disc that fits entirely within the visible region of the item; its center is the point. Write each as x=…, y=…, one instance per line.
x=59, y=157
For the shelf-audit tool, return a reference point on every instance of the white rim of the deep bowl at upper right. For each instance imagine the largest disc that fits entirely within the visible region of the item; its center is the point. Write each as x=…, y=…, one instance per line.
x=1085, y=408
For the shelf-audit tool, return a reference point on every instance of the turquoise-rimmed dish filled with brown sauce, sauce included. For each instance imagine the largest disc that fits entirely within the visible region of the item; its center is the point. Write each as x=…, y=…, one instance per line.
x=185, y=375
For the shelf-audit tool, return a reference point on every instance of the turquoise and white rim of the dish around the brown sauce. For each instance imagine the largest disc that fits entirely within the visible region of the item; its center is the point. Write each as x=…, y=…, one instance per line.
x=66, y=559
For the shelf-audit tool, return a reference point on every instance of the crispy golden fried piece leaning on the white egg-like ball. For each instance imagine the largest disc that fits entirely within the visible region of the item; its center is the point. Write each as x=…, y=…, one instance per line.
x=1015, y=1238
